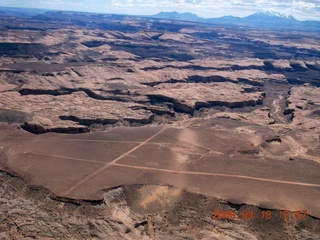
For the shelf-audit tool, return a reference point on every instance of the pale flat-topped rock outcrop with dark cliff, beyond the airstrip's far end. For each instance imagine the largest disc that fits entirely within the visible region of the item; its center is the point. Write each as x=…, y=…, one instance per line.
x=188, y=97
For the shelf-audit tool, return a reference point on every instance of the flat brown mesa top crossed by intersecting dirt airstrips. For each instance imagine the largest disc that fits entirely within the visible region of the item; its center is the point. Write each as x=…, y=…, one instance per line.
x=216, y=162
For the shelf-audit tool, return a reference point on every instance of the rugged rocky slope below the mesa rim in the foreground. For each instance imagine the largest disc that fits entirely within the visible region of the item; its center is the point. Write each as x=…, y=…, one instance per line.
x=60, y=218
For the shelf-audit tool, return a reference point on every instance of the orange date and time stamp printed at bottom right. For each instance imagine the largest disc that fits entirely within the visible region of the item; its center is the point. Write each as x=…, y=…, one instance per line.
x=263, y=214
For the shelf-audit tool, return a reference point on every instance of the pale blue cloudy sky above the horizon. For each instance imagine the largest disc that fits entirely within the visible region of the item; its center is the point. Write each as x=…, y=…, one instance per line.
x=300, y=9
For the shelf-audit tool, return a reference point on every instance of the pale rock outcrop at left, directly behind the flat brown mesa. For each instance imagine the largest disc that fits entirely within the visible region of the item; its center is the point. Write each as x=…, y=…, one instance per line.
x=73, y=113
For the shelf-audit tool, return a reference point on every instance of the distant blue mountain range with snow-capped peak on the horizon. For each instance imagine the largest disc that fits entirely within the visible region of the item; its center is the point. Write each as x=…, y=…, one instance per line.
x=269, y=19
